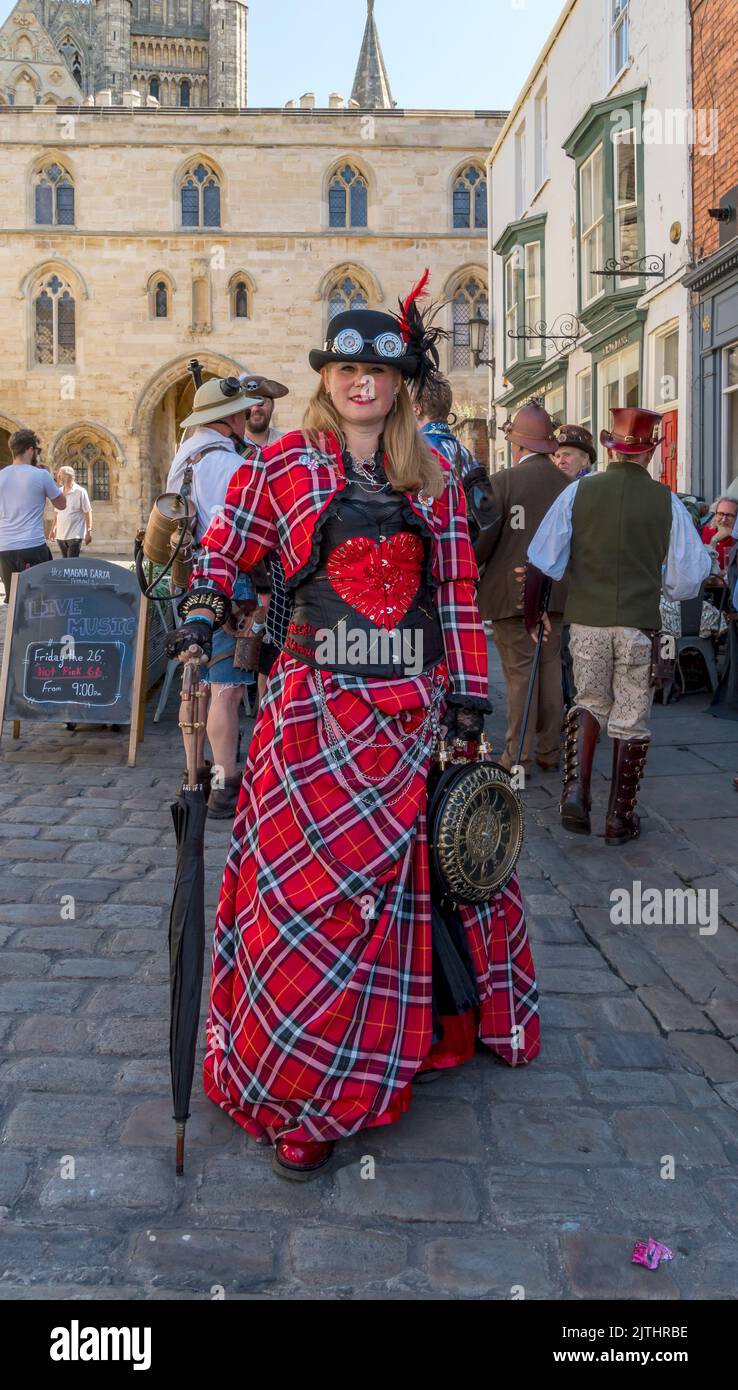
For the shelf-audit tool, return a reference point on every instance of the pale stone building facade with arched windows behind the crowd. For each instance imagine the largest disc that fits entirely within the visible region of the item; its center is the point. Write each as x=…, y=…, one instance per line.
x=136, y=240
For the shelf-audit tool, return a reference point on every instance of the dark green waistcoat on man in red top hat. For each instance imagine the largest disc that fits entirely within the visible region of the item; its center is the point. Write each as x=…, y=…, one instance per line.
x=622, y=522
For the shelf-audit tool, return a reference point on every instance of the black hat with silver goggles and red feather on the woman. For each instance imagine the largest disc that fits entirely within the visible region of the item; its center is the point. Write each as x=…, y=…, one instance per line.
x=405, y=341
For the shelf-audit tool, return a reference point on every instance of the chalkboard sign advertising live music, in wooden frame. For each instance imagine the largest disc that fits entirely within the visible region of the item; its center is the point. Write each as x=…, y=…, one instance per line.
x=74, y=646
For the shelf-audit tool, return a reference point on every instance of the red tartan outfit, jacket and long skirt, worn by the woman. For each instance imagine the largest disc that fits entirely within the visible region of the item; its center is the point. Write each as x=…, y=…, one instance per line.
x=320, y=1006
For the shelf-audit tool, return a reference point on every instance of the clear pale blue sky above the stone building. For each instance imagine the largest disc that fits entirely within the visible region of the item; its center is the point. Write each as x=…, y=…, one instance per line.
x=459, y=55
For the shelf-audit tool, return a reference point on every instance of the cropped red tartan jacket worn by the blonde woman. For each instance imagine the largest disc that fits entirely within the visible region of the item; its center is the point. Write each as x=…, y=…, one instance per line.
x=274, y=502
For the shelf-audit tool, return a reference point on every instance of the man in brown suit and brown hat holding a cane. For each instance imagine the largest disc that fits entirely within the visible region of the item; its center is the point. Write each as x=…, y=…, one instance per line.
x=523, y=496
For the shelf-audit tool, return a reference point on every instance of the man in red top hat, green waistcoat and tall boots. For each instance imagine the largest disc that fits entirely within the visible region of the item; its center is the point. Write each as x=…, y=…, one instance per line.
x=621, y=537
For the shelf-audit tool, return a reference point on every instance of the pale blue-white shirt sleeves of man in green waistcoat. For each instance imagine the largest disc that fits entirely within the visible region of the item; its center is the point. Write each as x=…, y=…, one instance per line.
x=687, y=562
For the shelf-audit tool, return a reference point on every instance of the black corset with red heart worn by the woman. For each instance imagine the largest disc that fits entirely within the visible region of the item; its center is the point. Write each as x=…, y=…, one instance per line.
x=373, y=553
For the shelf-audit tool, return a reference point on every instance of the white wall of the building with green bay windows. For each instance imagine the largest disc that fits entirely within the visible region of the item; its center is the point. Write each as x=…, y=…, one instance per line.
x=576, y=74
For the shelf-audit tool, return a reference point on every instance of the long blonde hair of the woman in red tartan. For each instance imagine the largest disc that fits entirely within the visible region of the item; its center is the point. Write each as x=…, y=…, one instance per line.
x=411, y=466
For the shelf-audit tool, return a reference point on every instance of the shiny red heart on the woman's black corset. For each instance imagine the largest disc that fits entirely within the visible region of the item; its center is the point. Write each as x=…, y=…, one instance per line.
x=379, y=579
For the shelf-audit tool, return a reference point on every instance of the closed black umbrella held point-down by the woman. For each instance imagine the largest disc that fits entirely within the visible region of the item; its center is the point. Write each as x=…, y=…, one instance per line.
x=187, y=918
